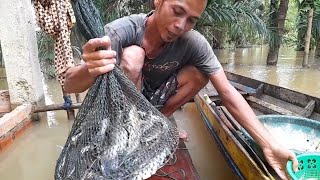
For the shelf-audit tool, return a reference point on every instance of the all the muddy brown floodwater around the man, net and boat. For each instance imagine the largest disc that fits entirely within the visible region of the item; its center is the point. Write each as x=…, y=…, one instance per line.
x=33, y=154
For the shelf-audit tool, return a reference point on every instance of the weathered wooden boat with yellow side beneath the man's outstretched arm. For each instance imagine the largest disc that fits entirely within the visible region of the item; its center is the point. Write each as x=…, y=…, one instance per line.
x=264, y=98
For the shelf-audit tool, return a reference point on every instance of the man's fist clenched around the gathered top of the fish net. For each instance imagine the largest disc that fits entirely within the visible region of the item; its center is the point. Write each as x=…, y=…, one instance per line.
x=99, y=61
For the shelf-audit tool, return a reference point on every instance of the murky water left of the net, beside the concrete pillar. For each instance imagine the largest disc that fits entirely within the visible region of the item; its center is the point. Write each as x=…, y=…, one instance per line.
x=33, y=154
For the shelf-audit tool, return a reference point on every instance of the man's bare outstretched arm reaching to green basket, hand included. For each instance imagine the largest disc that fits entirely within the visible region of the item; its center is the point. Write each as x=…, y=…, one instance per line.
x=276, y=155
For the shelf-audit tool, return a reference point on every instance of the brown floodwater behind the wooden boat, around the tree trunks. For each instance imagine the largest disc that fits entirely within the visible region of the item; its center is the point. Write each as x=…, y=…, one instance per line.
x=288, y=73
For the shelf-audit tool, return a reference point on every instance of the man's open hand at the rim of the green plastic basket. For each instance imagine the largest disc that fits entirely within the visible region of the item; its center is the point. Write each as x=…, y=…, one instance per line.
x=277, y=156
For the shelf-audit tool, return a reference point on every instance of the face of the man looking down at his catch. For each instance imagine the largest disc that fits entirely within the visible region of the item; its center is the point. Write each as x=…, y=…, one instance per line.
x=176, y=17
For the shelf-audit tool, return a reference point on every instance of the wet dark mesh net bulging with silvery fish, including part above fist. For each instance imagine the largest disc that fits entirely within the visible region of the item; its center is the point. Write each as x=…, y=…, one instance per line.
x=117, y=133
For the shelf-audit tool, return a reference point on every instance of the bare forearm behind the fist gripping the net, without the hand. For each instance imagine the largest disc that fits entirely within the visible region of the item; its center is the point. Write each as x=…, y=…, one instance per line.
x=78, y=79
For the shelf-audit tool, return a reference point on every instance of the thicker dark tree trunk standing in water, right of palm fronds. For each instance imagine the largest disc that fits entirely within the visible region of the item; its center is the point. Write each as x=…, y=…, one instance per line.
x=272, y=58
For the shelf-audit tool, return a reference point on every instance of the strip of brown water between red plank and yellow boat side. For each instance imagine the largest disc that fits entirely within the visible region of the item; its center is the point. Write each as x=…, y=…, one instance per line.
x=205, y=154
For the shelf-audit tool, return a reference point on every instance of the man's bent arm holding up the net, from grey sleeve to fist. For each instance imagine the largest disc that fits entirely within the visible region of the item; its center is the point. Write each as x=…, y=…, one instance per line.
x=80, y=78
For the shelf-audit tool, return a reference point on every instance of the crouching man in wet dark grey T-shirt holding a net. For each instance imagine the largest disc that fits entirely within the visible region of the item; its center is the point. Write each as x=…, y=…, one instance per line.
x=159, y=50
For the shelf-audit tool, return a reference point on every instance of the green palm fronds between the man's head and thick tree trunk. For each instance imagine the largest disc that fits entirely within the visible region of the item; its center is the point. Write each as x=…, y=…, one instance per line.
x=240, y=18
